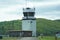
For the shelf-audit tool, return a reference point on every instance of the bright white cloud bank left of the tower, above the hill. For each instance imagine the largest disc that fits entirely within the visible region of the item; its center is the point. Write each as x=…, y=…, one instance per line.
x=11, y=12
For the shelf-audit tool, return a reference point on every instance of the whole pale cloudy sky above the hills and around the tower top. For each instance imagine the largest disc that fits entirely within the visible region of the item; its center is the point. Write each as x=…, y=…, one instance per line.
x=13, y=9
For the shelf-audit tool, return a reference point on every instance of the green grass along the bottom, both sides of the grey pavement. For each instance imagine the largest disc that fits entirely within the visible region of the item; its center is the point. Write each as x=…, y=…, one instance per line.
x=39, y=38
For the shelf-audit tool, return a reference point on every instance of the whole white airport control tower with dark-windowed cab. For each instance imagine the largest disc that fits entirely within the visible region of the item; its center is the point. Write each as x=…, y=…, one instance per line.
x=29, y=21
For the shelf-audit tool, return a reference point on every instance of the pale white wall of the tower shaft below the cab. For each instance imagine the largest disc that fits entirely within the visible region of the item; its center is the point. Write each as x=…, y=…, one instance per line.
x=29, y=25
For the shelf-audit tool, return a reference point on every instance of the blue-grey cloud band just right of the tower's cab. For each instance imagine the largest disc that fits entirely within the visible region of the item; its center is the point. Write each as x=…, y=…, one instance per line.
x=45, y=9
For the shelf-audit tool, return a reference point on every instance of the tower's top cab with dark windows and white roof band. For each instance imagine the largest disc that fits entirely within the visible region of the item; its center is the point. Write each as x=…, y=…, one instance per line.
x=28, y=13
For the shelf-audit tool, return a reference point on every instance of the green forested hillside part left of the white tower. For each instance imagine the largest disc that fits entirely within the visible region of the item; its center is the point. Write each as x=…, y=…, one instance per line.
x=10, y=25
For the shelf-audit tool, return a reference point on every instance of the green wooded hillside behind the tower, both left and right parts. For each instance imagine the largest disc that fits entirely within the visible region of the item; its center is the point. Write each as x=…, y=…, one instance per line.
x=48, y=27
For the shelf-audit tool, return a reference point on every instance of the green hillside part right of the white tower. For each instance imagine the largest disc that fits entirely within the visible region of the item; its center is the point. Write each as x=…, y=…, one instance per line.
x=48, y=27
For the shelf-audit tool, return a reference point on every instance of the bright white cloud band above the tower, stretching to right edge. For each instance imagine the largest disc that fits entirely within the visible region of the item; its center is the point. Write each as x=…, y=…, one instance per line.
x=40, y=4
